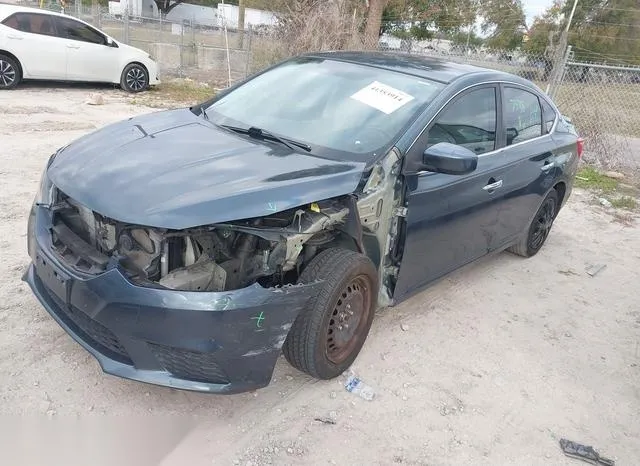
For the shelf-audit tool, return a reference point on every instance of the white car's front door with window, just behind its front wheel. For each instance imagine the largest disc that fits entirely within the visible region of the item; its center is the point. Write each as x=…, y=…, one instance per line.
x=89, y=58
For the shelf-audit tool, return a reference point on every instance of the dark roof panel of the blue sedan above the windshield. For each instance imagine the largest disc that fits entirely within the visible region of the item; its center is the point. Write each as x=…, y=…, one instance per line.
x=432, y=68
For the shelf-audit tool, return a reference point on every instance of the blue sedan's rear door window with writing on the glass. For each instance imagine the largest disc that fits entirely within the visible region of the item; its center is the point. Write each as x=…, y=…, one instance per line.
x=522, y=115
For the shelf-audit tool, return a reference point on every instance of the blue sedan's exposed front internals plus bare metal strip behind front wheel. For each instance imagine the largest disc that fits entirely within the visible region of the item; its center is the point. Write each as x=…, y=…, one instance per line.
x=270, y=250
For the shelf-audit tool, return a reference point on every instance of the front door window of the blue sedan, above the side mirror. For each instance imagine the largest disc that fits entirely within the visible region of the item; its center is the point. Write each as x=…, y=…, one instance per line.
x=470, y=121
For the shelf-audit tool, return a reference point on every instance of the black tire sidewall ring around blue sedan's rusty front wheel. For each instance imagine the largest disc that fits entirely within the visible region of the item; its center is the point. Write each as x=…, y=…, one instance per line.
x=325, y=367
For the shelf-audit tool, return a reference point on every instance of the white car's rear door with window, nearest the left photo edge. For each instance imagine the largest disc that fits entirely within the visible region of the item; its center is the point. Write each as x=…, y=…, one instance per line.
x=32, y=39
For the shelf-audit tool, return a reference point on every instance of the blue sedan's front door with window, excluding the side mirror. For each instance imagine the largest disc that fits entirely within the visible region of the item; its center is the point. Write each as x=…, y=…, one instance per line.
x=453, y=219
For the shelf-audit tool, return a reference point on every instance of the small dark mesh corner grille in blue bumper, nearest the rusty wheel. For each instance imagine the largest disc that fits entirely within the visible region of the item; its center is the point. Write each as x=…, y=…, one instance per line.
x=189, y=365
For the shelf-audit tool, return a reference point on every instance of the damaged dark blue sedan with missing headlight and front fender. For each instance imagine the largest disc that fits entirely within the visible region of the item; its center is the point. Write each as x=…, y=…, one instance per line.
x=189, y=248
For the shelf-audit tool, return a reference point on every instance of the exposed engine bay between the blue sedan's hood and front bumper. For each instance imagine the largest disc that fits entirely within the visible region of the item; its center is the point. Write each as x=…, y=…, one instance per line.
x=269, y=250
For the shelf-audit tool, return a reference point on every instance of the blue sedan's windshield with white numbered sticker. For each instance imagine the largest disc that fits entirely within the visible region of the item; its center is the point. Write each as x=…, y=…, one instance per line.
x=341, y=110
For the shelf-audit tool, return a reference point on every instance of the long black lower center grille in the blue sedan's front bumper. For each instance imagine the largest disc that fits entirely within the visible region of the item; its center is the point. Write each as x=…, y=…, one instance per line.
x=91, y=331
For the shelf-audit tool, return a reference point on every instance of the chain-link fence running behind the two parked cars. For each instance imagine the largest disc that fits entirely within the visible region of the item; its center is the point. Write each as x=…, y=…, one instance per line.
x=602, y=100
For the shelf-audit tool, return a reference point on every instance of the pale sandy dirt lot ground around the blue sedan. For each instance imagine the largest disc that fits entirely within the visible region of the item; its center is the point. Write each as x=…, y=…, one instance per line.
x=490, y=366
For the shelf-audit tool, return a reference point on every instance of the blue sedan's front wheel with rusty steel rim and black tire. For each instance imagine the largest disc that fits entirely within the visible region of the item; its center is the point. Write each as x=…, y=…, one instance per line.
x=326, y=337
